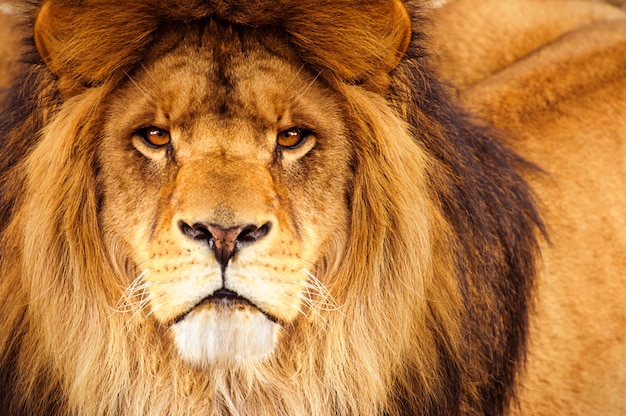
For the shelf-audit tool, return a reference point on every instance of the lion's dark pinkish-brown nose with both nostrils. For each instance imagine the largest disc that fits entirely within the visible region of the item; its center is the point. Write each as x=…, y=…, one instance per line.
x=224, y=241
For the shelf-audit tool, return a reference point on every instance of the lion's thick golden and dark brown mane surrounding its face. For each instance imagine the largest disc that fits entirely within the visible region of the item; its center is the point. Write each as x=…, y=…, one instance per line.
x=431, y=289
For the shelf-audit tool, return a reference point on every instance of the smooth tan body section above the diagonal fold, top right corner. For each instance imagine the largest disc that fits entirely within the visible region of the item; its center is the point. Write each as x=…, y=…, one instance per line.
x=469, y=59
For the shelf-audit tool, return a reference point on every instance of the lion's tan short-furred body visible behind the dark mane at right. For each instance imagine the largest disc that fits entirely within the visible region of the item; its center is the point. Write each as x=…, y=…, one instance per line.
x=560, y=83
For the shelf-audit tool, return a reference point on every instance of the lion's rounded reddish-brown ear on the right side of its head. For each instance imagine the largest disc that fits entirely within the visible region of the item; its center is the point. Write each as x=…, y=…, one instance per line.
x=358, y=41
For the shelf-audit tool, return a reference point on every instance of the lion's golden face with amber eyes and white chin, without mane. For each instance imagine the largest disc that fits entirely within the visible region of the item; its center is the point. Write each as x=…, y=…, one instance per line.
x=224, y=172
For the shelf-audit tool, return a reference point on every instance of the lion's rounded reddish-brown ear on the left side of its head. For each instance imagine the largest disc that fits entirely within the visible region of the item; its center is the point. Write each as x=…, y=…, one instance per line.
x=79, y=43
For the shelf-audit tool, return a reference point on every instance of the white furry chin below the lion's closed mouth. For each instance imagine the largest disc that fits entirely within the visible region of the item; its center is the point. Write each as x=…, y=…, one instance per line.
x=229, y=336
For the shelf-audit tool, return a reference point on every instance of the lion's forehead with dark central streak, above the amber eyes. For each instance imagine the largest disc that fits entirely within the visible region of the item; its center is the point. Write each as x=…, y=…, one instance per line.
x=204, y=83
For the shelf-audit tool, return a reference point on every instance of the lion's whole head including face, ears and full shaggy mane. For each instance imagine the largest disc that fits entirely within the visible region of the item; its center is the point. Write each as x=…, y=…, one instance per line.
x=249, y=208
